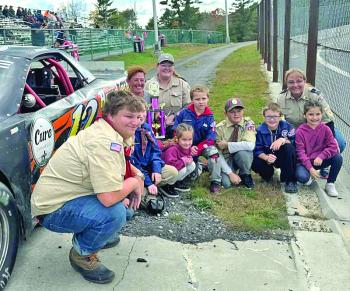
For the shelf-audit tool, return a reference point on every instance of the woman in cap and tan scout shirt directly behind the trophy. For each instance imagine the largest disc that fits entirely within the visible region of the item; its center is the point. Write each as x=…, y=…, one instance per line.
x=174, y=92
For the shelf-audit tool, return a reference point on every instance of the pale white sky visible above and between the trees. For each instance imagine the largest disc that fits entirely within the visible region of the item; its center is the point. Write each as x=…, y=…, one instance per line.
x=144, y=8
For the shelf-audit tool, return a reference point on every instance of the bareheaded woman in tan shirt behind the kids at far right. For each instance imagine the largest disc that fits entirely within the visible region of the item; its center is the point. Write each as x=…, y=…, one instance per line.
x=293, y=99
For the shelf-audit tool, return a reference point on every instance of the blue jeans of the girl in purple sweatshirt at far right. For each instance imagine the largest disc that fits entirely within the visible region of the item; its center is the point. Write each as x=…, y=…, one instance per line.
x=303, y=175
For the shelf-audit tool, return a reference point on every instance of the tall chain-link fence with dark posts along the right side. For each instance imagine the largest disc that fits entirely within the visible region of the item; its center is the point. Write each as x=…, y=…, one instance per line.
x=332, y=70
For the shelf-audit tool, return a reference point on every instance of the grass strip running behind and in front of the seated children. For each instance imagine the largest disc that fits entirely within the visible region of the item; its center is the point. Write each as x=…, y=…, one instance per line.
x=262, y=208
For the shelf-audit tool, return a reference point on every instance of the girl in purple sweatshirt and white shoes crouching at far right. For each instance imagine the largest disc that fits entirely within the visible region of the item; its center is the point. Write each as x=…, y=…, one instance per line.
x=316, y=148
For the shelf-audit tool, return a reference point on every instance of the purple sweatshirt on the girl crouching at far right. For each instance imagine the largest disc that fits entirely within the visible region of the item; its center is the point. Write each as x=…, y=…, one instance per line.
x=312, y=143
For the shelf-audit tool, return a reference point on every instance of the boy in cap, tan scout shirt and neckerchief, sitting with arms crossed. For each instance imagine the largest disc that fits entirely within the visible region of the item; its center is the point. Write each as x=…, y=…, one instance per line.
x=235, y=137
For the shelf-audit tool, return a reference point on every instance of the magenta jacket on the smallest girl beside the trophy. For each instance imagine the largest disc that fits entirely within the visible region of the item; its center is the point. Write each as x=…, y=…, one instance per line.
x=176, y=156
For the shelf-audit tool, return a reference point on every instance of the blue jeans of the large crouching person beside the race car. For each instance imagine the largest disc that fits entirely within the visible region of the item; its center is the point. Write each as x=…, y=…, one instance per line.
x=91, y=223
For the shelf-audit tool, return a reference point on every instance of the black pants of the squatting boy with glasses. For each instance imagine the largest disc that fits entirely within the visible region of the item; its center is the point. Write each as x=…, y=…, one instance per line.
x=286, y=161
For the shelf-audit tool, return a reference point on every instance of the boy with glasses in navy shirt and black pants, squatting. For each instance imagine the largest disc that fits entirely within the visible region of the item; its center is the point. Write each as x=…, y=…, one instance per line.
x=274, y=148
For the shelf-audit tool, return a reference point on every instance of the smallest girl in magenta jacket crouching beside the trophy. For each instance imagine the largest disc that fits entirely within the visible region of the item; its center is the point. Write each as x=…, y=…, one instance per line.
x=179, y=155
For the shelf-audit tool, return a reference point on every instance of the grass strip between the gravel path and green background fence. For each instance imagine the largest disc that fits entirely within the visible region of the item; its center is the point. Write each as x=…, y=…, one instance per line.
x=148, y=60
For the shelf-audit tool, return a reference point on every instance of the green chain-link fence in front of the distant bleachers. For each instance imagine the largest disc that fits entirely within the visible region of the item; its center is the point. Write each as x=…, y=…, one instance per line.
x=93, y=42
